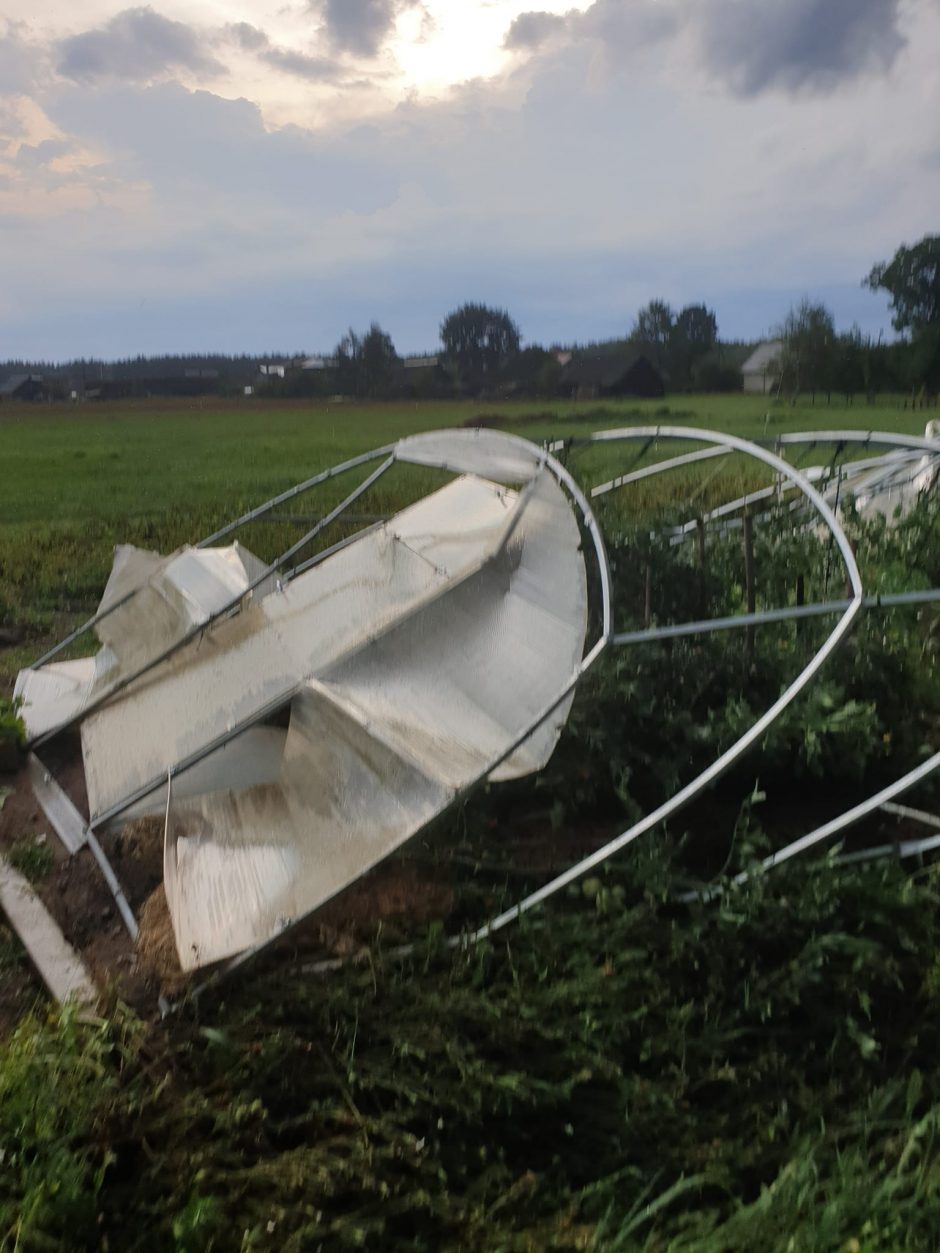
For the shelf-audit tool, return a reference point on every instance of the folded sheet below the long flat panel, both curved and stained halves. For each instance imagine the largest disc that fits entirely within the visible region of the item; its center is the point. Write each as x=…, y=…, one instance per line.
x=384, y=739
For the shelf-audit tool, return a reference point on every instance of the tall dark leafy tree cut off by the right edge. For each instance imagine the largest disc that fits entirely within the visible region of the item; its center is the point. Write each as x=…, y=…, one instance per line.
x=913, y=281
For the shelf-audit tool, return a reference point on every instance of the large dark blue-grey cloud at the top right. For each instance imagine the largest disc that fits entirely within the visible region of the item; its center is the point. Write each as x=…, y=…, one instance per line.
x=799, y=44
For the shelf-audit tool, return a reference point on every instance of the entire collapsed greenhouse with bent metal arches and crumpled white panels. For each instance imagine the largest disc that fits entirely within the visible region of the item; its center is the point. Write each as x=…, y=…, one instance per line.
x=293, y=724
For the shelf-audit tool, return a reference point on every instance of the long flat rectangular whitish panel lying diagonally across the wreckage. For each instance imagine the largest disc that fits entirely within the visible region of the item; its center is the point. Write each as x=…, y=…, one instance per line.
x=270, y=648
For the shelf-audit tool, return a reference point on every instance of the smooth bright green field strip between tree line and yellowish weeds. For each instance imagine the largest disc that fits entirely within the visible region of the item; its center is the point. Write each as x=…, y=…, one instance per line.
x=68, y=465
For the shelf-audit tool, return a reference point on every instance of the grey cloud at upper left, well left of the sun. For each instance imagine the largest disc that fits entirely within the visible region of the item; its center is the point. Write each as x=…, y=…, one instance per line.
x=136, y=46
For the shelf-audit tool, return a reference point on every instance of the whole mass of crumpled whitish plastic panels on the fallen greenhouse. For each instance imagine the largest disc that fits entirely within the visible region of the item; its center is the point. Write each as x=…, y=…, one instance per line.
x=311, y=729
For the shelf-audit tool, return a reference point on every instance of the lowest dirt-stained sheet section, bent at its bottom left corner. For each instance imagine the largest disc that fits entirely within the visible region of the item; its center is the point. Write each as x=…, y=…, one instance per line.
x=240, y=866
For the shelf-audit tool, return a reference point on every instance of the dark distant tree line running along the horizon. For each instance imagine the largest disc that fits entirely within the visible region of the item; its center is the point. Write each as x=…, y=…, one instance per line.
x=482, y=354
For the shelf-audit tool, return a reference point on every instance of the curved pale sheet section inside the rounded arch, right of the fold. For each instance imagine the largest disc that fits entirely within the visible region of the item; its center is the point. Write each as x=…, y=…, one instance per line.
x=454, y=687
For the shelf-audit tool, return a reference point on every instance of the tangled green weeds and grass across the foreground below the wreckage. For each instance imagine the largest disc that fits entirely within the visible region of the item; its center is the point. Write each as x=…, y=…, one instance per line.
x=725, y=1077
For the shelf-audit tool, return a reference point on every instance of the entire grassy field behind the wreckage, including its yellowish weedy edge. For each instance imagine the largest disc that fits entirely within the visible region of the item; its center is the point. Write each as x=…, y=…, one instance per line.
x=77, y=482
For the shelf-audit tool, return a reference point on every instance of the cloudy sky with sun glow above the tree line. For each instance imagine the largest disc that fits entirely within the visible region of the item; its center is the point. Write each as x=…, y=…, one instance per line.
x=224, y=175
